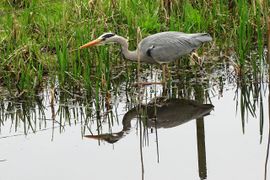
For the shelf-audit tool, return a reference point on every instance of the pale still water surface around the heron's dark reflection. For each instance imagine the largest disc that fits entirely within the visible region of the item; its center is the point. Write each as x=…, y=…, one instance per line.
x=221, y=145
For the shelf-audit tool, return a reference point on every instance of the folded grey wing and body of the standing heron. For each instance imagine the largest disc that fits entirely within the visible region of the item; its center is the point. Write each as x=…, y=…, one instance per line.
x=169, y=47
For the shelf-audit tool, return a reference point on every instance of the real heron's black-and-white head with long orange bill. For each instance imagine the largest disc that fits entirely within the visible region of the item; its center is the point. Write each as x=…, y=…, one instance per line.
x=101, y=40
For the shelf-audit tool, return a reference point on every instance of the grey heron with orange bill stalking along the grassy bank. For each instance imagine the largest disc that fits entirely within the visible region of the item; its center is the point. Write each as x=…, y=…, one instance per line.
x=161, y=48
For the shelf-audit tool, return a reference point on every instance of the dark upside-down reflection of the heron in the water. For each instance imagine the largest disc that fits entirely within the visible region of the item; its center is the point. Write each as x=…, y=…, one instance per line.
x=163, y=113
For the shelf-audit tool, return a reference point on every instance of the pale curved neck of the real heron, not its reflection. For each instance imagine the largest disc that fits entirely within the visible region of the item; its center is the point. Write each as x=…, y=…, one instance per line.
x=131, y=55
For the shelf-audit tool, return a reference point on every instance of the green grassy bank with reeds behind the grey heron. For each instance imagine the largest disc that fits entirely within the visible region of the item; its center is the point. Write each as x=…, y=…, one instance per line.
x=39, y=38
